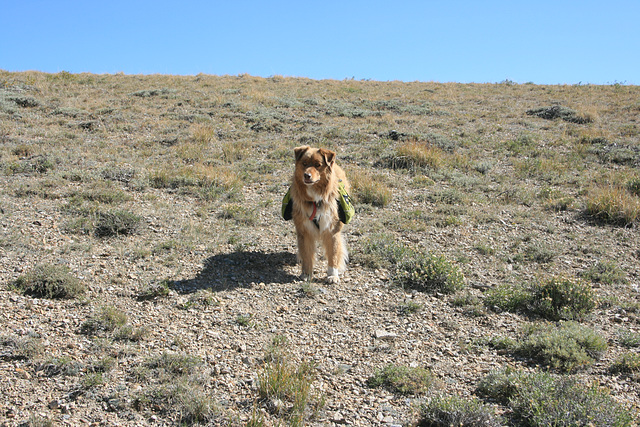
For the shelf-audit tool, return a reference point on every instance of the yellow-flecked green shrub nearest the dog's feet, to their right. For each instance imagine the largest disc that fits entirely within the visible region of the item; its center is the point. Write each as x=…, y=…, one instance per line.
x=429, y=273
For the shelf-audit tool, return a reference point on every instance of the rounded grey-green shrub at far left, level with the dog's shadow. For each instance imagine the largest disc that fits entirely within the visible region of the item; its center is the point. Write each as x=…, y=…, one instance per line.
x=50, y=281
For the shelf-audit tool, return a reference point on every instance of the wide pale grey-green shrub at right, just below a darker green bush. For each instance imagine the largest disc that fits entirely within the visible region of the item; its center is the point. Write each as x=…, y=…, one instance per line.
x=567, y=347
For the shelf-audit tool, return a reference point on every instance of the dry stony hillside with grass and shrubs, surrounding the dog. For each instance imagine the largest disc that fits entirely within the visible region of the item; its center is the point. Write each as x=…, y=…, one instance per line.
x=146, y=275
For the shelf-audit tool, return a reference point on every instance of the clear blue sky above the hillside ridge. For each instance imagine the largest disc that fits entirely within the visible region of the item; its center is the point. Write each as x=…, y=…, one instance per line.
x=544, y=41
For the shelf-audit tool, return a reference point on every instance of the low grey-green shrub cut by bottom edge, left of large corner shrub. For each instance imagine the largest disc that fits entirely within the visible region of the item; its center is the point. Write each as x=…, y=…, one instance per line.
x=445, y=411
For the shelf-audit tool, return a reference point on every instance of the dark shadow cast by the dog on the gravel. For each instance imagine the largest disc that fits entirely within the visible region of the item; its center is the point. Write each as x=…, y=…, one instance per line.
x=239, y=270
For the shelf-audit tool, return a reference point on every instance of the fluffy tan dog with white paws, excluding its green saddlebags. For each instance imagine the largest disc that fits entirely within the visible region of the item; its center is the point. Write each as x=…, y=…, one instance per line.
x=315, y=181
